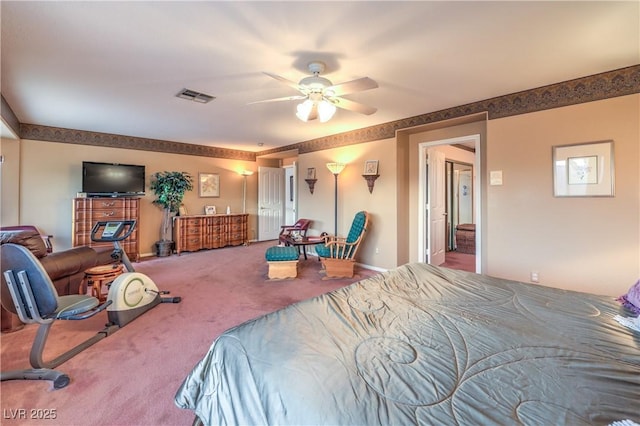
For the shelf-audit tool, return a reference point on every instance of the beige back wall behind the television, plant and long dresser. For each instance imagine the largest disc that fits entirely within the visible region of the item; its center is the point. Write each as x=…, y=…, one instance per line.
x=50, y=176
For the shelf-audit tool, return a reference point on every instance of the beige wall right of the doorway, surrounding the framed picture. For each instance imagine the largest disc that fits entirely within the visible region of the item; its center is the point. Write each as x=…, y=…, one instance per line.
x=587, y=244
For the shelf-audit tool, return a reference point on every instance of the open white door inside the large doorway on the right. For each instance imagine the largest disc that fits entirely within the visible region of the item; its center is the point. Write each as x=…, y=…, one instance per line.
x=436, y=206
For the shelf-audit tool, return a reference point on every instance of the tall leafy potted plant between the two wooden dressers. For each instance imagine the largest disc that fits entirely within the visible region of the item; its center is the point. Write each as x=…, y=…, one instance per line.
x=169, y=188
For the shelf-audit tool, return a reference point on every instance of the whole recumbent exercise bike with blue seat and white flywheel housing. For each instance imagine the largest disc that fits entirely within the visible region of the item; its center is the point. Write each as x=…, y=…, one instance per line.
x=36, y=301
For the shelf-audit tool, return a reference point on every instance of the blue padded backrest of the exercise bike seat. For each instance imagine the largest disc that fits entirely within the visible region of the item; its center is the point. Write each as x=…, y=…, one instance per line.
x=15, y=259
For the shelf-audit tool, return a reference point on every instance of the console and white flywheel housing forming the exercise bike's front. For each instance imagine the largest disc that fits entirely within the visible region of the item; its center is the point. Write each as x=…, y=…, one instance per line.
x=131, y=294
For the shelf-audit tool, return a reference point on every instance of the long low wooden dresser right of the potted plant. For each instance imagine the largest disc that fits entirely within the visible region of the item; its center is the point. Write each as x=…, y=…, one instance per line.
x=193, y=233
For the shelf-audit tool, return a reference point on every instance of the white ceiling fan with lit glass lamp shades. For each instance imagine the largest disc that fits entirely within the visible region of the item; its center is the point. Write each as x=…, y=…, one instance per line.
x=321, y=97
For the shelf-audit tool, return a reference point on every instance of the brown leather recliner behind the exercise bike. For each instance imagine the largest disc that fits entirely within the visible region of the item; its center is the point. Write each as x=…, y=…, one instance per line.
x=65, y=268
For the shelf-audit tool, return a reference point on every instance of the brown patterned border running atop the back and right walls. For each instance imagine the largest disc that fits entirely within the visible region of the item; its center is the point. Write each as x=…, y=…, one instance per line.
x=621, y=82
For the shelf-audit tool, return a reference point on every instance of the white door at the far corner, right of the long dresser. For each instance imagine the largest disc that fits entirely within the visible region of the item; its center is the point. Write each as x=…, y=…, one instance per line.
x=270, y=202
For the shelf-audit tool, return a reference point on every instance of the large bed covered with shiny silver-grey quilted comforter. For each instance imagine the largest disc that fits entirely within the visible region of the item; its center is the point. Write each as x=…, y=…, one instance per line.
x=424, y=345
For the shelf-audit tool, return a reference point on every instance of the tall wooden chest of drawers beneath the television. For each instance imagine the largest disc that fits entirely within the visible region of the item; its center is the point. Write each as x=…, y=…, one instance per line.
x=88, y=211
